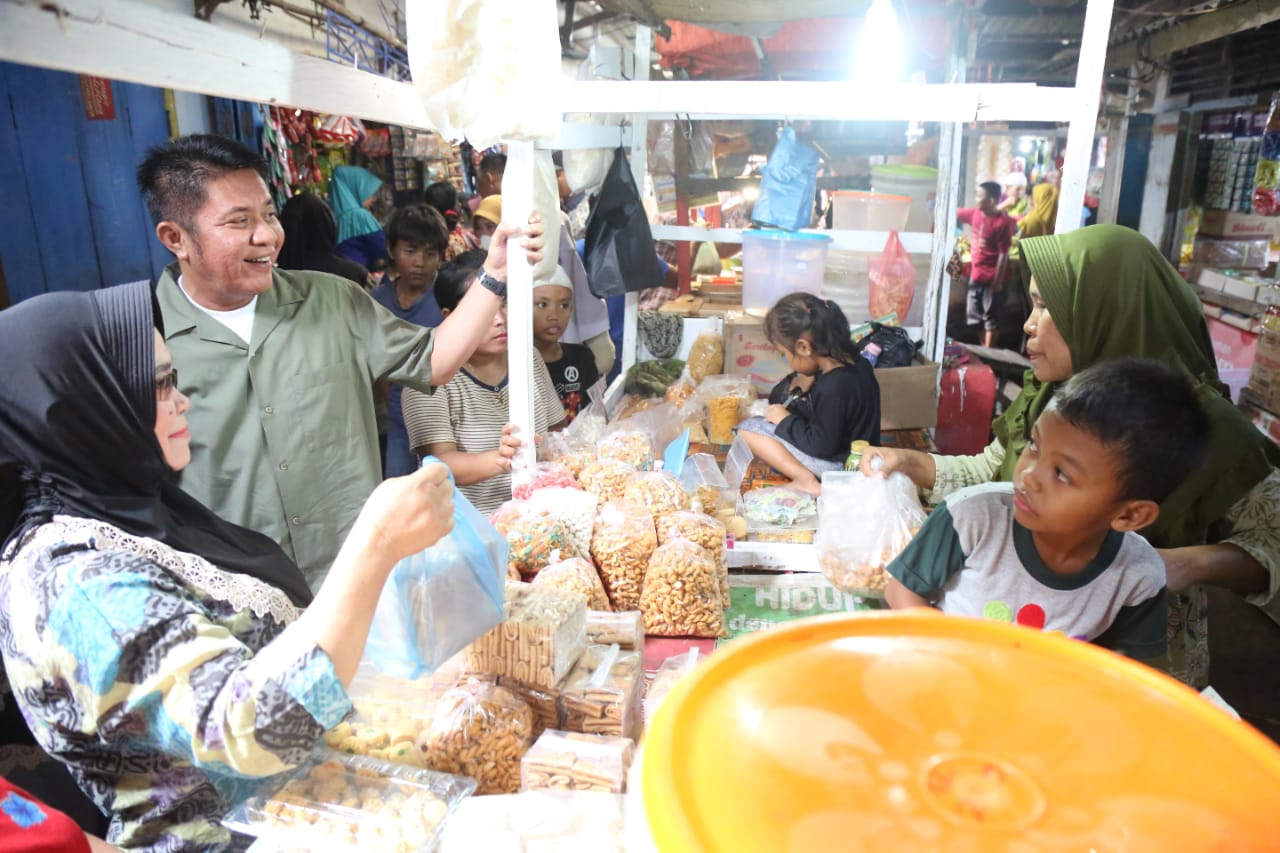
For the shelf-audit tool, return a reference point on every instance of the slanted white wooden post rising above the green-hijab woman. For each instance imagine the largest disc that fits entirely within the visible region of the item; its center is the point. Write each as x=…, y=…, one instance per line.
x=1085, y=117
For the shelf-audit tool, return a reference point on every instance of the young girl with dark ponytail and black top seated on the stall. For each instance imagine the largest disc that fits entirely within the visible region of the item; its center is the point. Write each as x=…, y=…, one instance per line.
x=835, y=396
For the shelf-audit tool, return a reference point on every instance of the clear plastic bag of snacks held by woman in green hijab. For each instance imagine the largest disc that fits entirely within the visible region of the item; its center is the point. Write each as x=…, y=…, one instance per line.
x=863, y=524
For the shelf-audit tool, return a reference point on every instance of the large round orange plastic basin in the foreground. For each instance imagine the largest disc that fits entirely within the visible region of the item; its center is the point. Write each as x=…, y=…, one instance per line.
x=918, y=732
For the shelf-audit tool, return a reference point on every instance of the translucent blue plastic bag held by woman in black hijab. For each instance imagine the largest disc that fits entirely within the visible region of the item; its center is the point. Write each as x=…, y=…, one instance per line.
x=436, y=603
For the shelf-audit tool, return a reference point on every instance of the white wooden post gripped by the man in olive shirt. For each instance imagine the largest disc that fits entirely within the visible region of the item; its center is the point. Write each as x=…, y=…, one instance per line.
x=518, y=203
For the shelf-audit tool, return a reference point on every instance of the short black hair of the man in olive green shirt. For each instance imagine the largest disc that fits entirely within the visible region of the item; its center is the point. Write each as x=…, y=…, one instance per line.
x=173, y=176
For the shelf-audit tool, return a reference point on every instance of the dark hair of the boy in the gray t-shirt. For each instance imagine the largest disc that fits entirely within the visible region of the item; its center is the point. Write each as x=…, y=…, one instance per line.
x=1149, y=414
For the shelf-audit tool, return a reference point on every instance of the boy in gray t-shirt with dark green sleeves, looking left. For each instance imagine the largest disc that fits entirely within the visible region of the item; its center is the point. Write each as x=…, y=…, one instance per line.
x=1058, y=549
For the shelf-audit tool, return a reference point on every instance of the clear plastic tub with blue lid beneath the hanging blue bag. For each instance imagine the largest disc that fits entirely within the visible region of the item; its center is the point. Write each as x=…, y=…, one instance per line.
x=776, y=263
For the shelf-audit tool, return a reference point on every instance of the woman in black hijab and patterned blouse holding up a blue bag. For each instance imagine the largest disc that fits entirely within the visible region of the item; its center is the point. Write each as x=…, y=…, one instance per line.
x=154, y=649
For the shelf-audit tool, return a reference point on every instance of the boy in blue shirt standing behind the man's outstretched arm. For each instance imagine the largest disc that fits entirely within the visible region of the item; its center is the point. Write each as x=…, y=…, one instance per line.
x=417, y=240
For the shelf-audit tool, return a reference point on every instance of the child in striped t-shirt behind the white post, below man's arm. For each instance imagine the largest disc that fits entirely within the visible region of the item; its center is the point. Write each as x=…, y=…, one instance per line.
x=464, y=423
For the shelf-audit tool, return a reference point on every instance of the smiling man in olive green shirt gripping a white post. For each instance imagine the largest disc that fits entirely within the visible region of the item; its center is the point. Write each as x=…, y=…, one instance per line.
x=281, y=366
